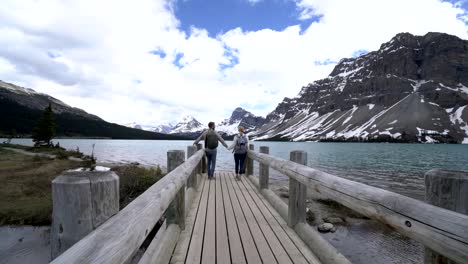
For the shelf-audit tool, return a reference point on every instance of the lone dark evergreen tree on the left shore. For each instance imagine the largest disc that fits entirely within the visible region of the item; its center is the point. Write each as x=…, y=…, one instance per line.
x=44, y=131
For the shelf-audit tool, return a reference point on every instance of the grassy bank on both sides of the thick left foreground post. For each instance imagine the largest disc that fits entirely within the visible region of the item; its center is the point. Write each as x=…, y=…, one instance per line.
x=25, y=182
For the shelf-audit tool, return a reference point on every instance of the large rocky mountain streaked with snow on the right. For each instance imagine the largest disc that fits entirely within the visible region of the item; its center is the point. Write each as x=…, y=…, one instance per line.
x=413, y=89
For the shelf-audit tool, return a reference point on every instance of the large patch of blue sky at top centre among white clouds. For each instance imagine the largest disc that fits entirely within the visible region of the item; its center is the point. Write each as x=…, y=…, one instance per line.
x=220, y=16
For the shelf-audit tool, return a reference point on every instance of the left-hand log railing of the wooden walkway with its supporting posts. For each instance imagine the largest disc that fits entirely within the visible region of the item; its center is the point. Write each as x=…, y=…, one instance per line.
x=117, y=239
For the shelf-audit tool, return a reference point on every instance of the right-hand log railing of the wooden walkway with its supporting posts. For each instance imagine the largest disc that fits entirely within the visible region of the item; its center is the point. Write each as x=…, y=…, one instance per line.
x=441, y=230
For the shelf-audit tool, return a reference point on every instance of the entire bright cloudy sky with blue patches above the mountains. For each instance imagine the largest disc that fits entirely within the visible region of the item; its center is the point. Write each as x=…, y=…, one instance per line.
x=154, y=61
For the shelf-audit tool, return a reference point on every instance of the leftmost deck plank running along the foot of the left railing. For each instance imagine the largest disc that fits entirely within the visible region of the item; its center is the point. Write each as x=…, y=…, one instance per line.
x=183, y=244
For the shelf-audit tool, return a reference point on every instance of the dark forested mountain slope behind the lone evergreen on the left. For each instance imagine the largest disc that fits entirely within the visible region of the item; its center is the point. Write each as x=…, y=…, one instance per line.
x=21, y=108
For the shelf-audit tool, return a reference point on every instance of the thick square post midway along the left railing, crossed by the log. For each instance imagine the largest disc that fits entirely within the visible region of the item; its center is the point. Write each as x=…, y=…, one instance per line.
x=176, y=211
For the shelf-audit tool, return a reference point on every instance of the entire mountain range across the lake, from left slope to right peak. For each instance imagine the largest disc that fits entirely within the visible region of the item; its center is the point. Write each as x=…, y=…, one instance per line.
x=413, y=89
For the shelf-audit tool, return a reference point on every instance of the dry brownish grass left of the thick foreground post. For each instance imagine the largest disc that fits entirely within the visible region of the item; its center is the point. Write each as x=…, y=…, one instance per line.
x=25, y=187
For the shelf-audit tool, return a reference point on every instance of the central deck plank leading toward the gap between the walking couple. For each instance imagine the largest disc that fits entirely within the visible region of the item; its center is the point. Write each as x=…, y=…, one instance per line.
x=235, y=243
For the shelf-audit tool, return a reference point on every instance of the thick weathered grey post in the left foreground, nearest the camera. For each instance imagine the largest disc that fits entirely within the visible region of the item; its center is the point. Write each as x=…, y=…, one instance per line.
x=82, y=201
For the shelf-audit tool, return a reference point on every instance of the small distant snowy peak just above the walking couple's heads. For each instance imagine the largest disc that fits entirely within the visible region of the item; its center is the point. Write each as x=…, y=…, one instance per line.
x=240, y=117
